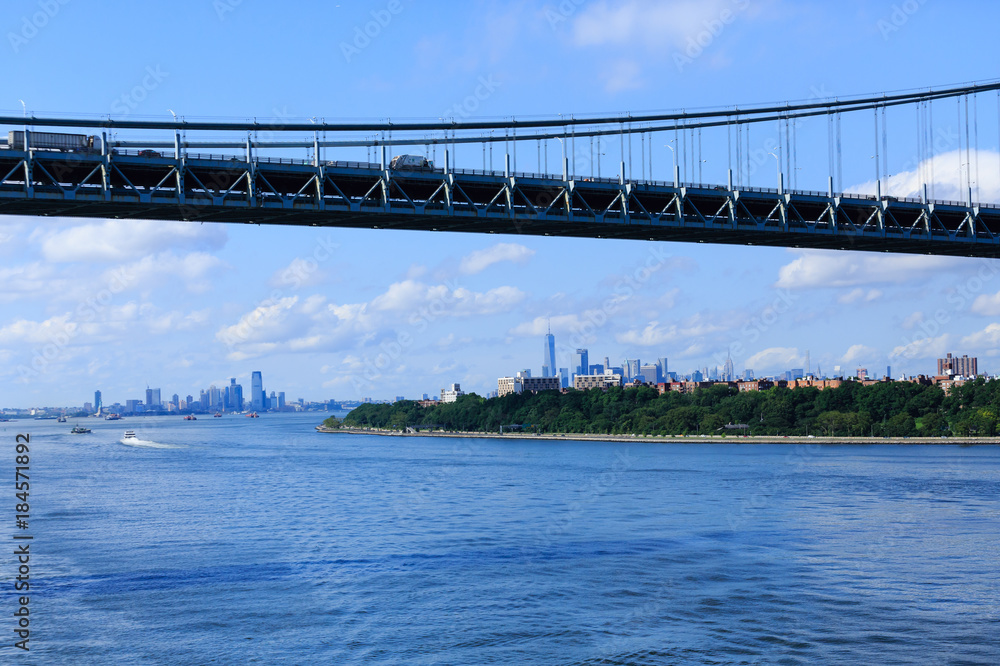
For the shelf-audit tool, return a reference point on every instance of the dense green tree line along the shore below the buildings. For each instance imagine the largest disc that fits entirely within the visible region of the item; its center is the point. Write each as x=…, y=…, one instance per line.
x=886, y=409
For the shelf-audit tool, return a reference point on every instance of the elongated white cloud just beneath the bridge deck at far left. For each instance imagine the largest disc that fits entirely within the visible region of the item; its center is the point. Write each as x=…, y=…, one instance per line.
x=126, y=240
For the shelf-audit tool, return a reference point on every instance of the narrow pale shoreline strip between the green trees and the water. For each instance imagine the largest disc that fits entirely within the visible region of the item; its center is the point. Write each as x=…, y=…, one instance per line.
x=680, y=439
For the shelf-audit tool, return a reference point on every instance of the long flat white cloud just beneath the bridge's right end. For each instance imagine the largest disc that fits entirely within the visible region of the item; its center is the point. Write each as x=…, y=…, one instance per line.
x=815, y=269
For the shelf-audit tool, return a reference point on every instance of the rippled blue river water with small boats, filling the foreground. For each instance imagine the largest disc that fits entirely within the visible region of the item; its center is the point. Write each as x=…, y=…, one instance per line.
x=236, y=540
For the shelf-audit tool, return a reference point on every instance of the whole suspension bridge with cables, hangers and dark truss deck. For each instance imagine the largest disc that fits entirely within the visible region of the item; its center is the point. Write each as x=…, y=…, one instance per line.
x=300, y=173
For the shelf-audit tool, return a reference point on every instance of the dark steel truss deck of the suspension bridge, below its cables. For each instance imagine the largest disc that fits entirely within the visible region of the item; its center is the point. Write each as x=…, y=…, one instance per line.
x=222, y=188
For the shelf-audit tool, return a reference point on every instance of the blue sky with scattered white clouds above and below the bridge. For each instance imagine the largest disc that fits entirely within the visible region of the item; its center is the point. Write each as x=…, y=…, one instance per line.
x=345, y=314
